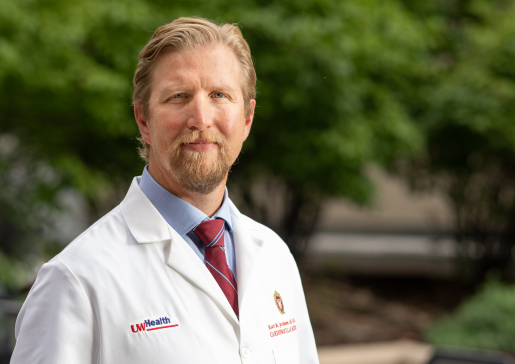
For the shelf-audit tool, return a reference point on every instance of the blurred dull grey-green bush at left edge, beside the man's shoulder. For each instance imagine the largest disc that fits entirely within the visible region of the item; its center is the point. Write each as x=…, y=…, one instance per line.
x=26, y=198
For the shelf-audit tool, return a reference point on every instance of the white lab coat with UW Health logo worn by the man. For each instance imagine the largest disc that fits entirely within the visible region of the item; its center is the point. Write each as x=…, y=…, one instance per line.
x=131, y=271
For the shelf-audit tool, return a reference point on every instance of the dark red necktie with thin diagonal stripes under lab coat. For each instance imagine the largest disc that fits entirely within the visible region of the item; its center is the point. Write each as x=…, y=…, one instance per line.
x=211, y=233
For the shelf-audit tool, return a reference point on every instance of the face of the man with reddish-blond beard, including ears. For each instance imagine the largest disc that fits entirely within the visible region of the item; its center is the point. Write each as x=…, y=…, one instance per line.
x=197, y=124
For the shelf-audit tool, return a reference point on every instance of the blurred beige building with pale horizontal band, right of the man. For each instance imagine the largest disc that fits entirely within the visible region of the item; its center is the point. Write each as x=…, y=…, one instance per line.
x=402, y=233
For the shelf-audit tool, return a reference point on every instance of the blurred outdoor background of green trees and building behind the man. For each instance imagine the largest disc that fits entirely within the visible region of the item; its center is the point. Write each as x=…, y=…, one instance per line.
x=382, y=151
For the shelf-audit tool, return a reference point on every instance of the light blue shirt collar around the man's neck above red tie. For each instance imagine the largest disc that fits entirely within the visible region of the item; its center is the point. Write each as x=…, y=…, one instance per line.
x=179, y=214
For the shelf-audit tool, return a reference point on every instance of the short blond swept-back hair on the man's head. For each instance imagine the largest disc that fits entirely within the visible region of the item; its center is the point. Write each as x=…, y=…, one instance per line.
x=183, y=34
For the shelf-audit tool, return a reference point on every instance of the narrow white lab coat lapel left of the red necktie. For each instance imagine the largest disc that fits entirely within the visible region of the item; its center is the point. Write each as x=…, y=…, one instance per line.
x=184, y=260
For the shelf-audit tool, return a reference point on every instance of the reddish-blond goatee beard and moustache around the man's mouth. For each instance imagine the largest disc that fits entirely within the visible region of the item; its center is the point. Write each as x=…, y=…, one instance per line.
x=197, y=171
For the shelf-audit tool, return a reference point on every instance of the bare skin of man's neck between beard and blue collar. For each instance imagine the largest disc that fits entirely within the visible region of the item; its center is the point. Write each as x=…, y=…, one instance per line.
x=208, y=204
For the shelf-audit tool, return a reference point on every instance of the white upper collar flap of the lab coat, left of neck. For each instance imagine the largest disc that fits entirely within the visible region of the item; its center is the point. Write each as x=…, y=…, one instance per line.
x=144, y=221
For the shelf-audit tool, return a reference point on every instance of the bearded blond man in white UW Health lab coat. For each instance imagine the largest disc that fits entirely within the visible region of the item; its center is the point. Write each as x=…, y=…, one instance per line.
x=175, y=274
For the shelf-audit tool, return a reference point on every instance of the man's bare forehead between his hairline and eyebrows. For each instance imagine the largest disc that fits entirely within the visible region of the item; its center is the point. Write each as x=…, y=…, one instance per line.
x=205, y=67
